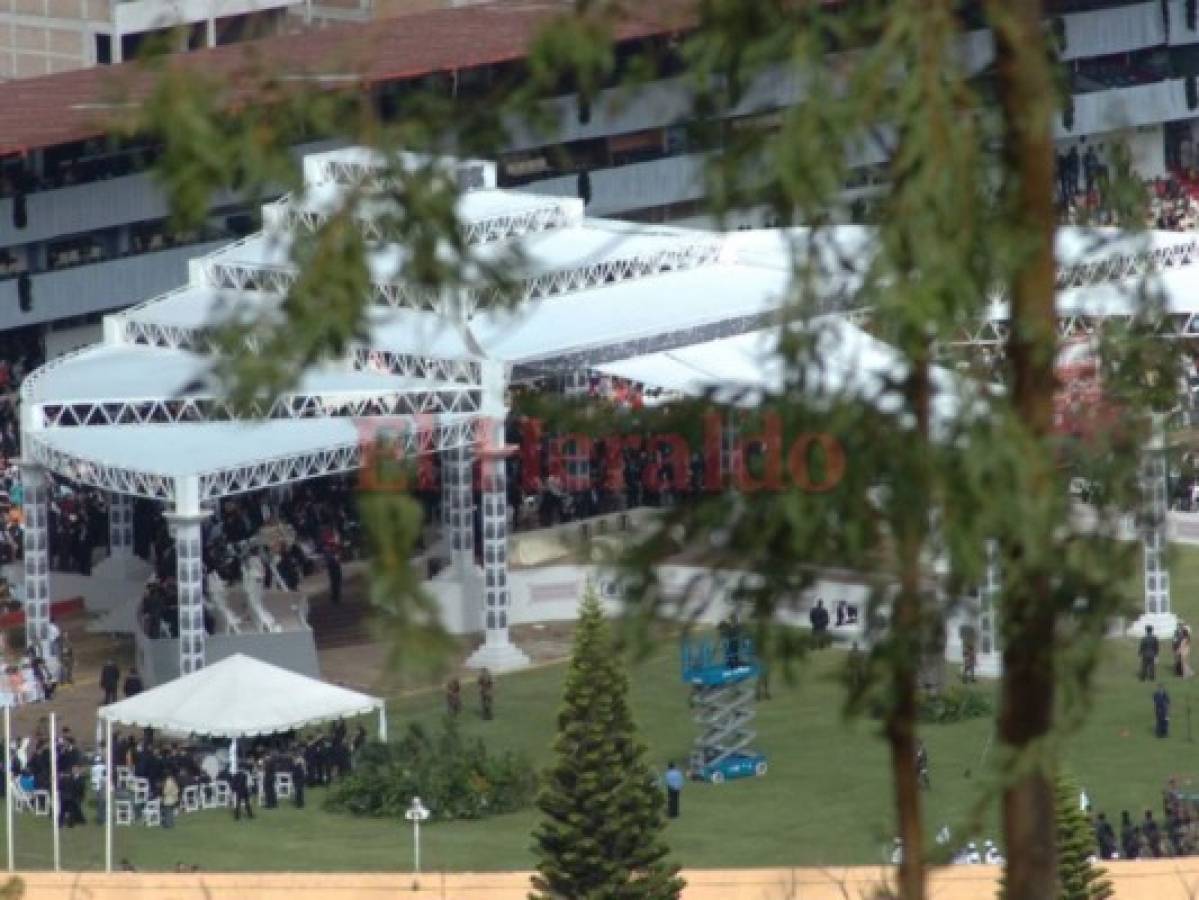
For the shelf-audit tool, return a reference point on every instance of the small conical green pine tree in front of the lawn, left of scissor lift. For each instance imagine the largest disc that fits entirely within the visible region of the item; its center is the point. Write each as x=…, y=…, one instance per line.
x=601, y=837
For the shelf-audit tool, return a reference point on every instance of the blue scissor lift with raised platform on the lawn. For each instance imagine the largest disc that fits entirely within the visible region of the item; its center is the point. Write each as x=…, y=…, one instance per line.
x=724, y=674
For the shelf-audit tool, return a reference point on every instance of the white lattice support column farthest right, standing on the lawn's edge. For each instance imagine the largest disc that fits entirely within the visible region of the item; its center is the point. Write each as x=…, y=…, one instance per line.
x=1154, y=536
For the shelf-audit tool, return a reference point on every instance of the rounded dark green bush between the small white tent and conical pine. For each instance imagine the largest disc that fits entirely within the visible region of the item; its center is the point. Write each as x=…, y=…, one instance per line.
x=455, y=777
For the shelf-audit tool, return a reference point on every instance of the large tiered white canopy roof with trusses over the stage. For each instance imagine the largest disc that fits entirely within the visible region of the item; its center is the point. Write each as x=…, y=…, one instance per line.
x=672, y=305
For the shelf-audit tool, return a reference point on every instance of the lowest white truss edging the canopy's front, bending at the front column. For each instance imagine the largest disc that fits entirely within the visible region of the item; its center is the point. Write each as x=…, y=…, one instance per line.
x=348, y=457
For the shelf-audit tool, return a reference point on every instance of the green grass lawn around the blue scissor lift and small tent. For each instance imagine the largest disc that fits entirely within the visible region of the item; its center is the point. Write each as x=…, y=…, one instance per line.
x=824, y=802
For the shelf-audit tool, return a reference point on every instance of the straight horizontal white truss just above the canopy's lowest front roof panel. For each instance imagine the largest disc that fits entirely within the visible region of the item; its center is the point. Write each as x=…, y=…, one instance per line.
x=288, y=407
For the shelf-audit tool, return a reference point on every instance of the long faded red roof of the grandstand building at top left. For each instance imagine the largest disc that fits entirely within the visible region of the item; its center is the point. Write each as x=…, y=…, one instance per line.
x=57, y=110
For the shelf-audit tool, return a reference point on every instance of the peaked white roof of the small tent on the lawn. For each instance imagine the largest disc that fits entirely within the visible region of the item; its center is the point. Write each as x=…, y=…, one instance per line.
x=239, y=697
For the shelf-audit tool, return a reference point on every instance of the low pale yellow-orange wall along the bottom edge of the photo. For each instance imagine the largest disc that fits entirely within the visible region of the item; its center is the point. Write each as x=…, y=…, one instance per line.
x=1159, y=880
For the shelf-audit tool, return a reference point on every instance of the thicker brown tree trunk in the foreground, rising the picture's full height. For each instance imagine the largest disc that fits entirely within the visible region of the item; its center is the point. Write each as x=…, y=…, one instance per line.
x=1027, y=99
